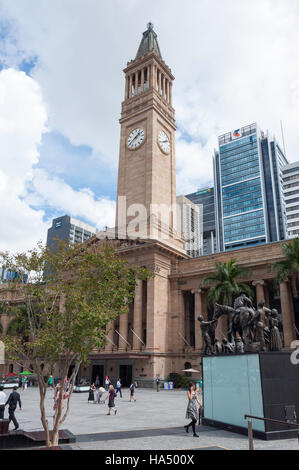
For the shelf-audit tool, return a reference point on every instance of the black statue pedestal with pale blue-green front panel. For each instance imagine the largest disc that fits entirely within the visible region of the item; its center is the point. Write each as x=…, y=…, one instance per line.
x=264, y=385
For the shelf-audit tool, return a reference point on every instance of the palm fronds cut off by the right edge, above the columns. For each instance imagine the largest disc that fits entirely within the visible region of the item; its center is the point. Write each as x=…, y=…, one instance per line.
x=288, y=268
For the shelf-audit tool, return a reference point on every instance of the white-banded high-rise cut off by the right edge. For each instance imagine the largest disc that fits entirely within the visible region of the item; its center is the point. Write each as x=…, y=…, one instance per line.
x=290, y=174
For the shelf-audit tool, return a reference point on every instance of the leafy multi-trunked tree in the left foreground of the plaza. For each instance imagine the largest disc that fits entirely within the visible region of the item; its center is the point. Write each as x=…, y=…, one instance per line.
x=65, y=312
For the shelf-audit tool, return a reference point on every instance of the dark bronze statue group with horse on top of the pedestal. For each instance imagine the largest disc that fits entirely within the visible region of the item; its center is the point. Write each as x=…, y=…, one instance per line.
x=248, y=329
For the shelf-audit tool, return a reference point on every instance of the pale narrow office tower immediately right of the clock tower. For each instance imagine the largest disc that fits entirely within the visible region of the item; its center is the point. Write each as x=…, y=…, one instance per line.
x=189, y=218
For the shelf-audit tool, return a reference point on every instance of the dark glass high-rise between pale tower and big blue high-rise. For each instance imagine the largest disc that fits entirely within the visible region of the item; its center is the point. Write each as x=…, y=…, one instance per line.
x=205, y=198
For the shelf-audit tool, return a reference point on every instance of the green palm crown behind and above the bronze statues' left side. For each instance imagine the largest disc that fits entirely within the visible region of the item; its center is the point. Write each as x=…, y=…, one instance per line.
x=225, y=284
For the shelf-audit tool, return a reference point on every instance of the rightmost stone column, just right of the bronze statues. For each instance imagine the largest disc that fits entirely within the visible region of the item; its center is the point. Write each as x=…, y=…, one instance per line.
x=287, y=311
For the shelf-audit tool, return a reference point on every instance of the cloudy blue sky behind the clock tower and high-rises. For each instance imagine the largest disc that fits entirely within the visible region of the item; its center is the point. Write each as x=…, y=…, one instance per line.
x=62, y=85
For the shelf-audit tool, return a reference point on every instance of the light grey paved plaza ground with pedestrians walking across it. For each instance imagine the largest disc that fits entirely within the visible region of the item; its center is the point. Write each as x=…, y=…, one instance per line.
x=154, y=421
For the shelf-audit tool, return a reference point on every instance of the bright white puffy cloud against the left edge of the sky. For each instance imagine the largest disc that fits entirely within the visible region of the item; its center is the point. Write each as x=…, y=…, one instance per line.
x=22, y=122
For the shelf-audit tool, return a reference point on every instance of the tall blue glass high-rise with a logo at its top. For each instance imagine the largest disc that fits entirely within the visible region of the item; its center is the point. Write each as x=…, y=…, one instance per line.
x=249, y=200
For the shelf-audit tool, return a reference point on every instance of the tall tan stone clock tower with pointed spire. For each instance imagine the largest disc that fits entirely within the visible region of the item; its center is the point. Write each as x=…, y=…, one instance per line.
x=146, y=196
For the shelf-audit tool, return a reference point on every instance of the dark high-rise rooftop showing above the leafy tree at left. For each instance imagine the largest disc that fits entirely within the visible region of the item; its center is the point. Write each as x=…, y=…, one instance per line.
x=68, y=228
